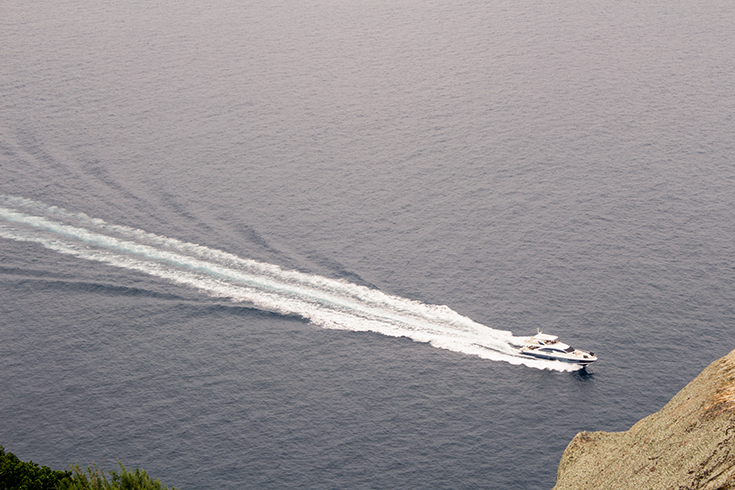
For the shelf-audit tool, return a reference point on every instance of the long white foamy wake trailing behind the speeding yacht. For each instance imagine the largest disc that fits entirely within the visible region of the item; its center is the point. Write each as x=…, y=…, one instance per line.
x=325, y=302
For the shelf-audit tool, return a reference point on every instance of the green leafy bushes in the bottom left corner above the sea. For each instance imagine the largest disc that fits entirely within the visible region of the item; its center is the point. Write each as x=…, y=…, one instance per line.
x=19, y=475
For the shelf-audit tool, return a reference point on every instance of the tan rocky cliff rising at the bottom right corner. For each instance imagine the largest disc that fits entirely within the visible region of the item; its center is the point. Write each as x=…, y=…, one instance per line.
x=688, y=444
